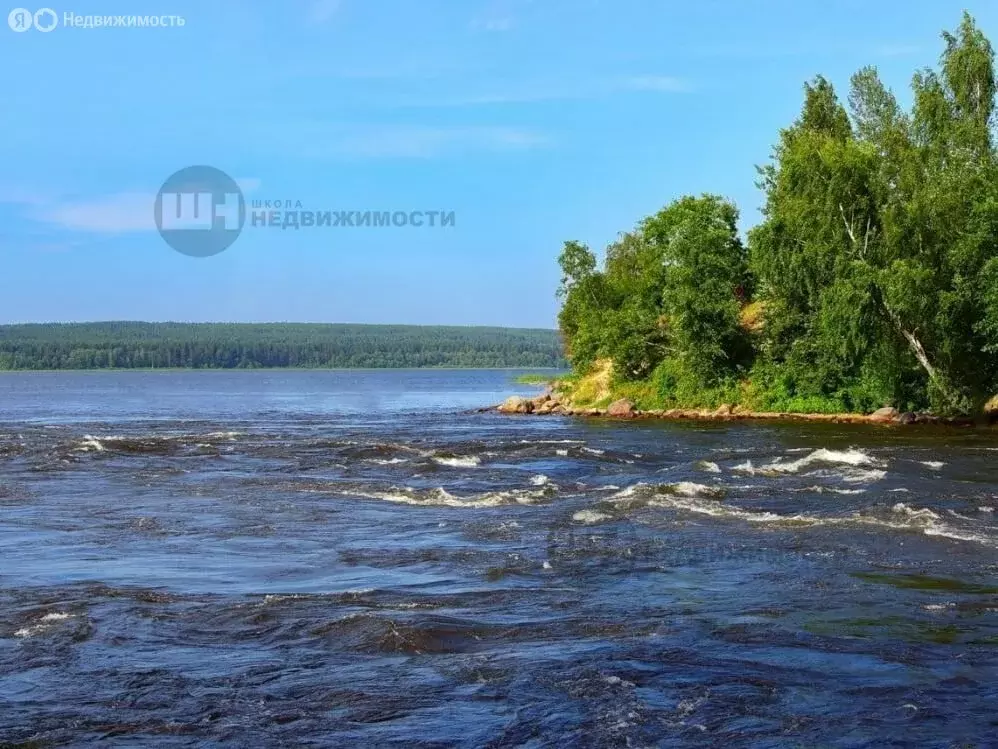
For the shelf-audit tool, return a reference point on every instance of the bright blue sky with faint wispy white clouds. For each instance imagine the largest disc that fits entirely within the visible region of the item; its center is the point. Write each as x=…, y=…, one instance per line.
x=533, y=121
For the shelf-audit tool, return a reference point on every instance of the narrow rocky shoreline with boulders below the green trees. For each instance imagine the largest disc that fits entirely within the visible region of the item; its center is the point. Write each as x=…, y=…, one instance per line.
x=551, y=402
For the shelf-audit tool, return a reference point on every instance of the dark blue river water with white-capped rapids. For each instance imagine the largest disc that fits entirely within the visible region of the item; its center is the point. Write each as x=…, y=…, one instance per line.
x=350, y=558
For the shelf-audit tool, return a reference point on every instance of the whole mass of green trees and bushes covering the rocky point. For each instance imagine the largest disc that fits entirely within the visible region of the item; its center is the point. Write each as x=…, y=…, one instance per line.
x=872, y=278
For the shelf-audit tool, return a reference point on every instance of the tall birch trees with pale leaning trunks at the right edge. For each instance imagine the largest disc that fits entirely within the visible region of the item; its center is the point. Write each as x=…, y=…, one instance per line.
x=880, y=233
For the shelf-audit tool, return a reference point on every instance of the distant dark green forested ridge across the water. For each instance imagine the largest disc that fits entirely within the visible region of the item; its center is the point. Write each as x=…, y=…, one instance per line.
x=215, y=345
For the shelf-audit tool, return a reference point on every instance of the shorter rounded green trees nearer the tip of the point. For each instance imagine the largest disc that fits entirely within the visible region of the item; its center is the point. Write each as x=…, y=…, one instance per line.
x=669, y=289
